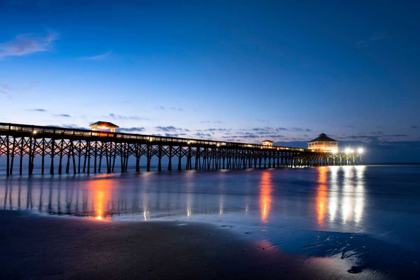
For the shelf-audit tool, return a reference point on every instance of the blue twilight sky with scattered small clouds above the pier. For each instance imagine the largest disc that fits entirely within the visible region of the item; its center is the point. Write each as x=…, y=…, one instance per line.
x=226, y=70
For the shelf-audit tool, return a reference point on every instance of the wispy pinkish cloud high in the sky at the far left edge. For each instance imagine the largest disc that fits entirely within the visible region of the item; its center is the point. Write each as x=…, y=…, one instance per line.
x=26, y=44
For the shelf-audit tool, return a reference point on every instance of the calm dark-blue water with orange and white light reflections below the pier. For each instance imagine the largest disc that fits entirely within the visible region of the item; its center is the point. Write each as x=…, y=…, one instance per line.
x=367, y=216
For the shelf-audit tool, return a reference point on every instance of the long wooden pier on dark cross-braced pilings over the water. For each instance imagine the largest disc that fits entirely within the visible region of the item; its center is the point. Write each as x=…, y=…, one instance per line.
x=66, y=150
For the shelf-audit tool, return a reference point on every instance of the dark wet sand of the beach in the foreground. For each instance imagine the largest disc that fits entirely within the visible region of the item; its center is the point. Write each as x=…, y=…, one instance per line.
x=42, y=247
